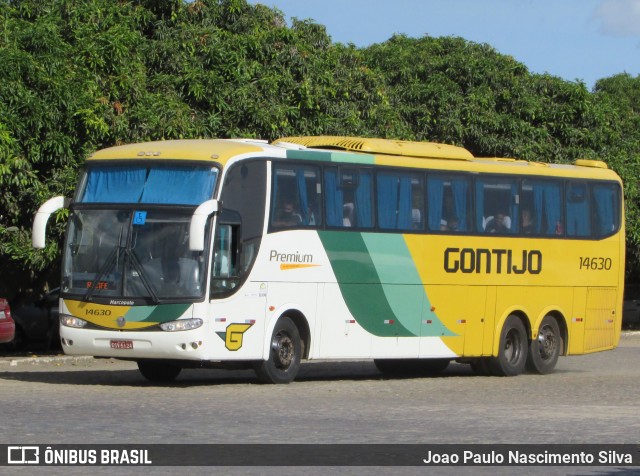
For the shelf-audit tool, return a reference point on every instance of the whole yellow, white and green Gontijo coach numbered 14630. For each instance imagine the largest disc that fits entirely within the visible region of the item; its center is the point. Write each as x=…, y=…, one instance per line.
x=245, y=254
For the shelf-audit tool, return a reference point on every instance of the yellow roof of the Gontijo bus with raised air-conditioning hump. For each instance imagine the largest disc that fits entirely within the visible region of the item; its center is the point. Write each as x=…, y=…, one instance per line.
x=355, y=150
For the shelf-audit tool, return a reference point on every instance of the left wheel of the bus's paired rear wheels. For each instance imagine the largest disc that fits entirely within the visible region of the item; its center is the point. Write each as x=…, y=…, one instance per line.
x=512, y=354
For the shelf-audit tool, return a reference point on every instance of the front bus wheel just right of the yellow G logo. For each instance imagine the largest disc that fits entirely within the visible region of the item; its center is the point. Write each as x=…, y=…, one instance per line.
x=284, y=357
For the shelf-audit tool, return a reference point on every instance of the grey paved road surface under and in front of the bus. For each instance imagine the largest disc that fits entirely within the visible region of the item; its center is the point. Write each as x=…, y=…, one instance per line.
x=589, y=399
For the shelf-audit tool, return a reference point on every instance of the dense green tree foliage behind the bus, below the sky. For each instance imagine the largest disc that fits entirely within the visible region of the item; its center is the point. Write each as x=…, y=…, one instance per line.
x=78, y=75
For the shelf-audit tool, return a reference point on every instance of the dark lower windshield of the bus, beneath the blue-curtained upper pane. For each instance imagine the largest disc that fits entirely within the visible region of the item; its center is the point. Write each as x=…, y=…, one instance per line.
x=132, y=254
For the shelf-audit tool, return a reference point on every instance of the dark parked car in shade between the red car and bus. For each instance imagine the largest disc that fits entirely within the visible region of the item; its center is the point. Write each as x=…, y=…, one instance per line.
x=37, y=322
